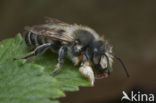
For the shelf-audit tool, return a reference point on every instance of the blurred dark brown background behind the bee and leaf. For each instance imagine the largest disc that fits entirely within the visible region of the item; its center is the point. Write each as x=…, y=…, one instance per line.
x=129, y=25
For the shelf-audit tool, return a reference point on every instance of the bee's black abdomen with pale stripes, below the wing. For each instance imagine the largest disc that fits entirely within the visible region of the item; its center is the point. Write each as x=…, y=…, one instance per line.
x=34, y=40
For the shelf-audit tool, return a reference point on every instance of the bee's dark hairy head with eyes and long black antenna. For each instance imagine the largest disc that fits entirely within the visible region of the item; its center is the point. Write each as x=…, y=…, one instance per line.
x=102, y=57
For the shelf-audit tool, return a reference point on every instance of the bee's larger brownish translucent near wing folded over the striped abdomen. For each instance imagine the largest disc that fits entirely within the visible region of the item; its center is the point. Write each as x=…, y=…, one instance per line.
x=50, y=33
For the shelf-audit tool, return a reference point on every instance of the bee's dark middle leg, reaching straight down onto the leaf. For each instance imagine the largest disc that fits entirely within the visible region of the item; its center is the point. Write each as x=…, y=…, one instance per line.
x=62, y=54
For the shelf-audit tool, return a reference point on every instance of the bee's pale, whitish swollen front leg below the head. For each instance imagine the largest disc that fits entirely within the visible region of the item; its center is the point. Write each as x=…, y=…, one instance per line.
x=86, y=70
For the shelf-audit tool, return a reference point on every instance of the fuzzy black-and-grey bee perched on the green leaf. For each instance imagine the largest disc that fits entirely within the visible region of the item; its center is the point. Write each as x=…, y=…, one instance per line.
x=81, y=44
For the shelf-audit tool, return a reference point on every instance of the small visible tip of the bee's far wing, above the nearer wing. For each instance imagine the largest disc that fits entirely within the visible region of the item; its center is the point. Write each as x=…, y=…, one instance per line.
x=55, y=21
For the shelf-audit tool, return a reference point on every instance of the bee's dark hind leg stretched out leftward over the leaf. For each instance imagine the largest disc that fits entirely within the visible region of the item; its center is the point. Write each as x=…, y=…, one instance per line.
x=39, y=50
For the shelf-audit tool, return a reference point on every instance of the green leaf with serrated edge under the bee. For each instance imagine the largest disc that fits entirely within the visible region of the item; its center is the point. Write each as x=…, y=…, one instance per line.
x=29, y=81
